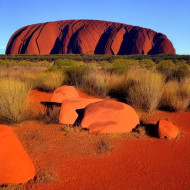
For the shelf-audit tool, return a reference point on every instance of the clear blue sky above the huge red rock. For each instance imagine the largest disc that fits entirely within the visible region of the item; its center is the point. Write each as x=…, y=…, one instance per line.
x=171, y=17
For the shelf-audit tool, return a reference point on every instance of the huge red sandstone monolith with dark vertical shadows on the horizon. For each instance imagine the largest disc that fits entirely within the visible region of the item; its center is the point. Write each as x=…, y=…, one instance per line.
x=87, y=36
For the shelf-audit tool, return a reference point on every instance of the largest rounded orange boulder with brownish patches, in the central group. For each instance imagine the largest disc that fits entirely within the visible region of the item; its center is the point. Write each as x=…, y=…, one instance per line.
x=109, y=116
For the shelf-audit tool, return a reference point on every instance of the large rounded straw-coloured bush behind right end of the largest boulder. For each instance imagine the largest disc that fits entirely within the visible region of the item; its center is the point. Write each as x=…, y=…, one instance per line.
x=146, y=91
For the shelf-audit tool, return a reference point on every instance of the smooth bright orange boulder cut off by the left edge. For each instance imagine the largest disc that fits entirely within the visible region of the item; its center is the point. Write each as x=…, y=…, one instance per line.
x=15, y=164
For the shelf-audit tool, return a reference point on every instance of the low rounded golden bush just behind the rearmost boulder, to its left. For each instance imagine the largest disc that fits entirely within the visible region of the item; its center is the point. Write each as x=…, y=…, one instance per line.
x=49, y=81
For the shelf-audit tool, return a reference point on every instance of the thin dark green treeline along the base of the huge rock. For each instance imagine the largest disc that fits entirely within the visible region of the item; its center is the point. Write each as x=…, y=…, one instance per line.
x=98, y=58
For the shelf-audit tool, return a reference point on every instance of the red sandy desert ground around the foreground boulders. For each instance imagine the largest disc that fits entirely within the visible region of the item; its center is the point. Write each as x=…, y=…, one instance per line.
x=145, y=163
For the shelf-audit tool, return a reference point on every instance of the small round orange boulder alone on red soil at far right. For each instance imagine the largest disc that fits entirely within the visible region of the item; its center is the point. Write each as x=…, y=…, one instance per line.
x=167, y=130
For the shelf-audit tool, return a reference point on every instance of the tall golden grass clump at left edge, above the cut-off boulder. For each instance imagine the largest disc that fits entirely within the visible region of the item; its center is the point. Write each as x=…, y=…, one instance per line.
x=13, y=104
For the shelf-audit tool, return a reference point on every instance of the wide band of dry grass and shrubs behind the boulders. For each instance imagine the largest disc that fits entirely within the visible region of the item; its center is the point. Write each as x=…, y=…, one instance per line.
x=145, y=82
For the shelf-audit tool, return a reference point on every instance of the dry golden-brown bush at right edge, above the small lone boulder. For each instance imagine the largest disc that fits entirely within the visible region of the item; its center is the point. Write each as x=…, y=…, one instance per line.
x=176, y=95
